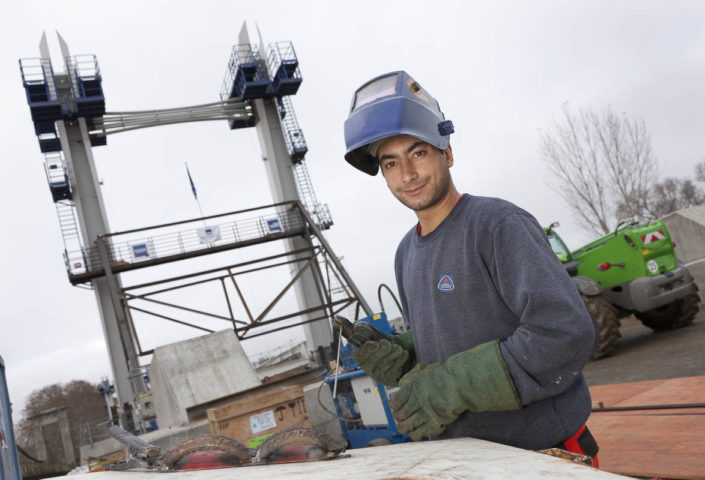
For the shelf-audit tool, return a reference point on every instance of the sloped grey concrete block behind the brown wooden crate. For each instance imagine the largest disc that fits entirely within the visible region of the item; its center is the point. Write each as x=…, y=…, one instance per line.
x=195, y=371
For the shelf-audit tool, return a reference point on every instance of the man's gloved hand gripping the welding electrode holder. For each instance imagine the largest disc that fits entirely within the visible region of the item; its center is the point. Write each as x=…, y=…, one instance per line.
x=384, y=361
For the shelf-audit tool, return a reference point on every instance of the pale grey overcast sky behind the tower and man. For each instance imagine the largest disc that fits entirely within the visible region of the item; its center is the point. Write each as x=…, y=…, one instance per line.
x=501, y=71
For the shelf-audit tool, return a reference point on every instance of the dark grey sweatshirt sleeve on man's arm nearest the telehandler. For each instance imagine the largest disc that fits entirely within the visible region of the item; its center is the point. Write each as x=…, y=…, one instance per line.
x=548, y=350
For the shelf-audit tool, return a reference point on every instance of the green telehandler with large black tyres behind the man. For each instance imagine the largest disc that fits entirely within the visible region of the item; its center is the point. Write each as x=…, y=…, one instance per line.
x=632, y=270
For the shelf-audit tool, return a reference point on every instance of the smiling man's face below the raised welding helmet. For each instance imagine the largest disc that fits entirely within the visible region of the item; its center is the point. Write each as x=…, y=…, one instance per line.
x=416, y=173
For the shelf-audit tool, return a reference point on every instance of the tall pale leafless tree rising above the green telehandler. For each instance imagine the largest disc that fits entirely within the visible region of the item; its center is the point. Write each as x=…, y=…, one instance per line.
x=602, y=165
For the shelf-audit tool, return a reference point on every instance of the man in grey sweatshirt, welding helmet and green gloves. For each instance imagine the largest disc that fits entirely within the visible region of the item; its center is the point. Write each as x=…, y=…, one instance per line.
x=500, y=334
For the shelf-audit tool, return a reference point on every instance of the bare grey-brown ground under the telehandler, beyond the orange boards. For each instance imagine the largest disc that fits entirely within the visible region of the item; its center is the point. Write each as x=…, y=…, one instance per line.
x=642, y=354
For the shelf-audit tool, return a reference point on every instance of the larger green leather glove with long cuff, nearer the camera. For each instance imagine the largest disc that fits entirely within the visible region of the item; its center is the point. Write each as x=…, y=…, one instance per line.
x=432, y=396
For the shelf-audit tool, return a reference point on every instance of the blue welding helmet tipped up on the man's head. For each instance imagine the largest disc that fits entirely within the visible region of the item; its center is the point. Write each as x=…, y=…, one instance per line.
x=388, y=105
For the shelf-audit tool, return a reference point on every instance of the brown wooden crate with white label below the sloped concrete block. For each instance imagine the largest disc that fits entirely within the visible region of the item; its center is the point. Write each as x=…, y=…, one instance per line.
x=252, y=419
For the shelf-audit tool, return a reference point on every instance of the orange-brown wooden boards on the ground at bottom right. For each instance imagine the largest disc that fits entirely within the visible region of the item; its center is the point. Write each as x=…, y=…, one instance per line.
x=652, y=443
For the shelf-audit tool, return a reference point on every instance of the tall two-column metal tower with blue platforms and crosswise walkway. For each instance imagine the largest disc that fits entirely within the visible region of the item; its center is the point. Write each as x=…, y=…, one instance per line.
x=68, y=112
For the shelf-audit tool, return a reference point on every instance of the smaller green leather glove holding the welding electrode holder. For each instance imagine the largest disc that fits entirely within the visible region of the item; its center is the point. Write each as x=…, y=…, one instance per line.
x=386, y=360
